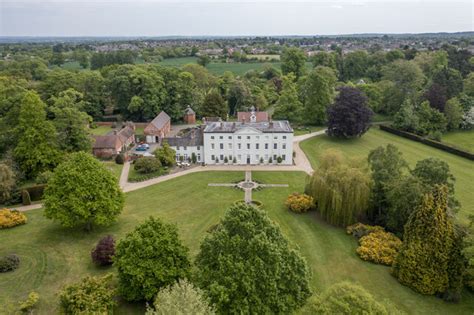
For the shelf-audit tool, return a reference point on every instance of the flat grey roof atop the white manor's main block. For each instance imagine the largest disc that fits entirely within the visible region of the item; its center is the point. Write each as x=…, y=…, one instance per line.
x=264, y=126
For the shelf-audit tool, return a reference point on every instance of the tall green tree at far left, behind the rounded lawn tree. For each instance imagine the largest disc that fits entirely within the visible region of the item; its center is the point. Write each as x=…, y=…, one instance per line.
x=36, y=149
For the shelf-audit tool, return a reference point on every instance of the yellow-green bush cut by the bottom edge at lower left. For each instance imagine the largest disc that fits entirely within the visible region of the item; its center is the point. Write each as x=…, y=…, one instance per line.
x=93, y=295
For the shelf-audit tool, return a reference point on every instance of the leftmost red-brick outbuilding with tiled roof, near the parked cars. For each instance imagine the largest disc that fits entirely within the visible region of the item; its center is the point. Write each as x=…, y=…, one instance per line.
x=115, y=142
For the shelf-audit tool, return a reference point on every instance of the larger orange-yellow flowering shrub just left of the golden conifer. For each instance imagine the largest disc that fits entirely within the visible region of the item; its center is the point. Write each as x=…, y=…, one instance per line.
x=379, y=247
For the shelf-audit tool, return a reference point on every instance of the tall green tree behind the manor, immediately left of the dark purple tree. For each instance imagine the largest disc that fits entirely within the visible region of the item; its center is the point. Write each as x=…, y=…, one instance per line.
x=317, y=94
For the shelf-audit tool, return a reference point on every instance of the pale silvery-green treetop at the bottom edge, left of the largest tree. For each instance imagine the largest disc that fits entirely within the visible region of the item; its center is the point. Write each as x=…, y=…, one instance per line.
x=181, y=298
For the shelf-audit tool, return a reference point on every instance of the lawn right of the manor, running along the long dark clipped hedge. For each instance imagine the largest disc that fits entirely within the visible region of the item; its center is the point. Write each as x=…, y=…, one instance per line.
x=463, y=169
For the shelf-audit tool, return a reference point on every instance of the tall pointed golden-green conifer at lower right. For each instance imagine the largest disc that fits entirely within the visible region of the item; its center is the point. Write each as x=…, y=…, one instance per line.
x=423, y=260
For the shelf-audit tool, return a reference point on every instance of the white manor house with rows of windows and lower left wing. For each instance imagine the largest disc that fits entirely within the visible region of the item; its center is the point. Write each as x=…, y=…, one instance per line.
x=253, y=139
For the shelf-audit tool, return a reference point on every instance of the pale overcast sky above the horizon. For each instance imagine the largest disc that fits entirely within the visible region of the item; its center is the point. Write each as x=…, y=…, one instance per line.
x=224, y=17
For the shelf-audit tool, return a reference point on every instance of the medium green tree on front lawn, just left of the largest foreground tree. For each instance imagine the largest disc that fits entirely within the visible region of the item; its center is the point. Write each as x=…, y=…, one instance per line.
x=149, y=258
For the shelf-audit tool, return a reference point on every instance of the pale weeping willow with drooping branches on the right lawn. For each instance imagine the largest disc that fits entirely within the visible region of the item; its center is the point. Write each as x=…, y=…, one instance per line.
x=341, y=190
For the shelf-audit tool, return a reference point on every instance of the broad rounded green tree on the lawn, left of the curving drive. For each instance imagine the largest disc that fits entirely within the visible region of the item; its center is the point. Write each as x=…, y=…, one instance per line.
x=82, y=192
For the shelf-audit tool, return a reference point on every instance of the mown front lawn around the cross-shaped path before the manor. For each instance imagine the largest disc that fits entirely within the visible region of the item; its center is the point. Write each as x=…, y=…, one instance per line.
x=52, y=257
